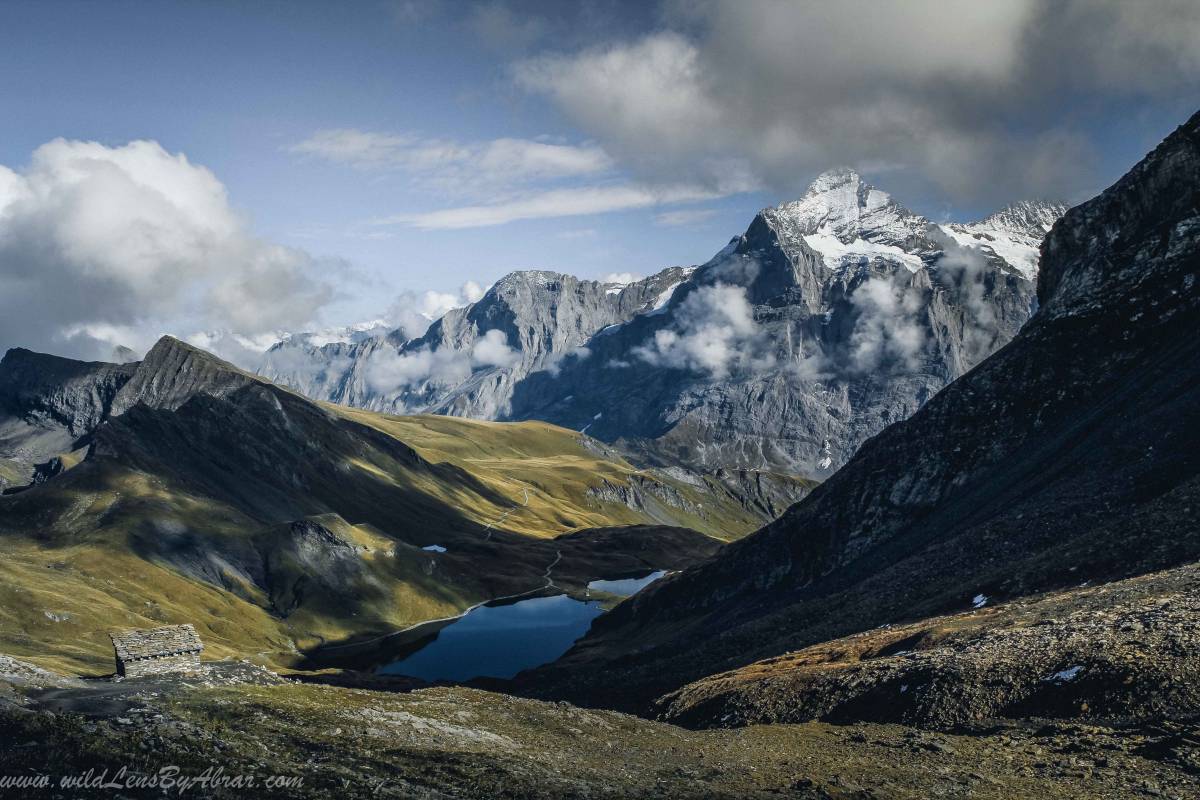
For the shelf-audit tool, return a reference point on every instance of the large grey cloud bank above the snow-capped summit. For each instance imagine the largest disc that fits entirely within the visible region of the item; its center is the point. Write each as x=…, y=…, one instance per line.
x=967, y=95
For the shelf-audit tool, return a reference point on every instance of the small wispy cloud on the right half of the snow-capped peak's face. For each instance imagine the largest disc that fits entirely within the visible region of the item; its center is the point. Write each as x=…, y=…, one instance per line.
x=889, y=332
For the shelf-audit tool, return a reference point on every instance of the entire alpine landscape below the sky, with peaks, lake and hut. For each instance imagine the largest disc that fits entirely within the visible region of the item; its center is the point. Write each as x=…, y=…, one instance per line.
x=958, y=560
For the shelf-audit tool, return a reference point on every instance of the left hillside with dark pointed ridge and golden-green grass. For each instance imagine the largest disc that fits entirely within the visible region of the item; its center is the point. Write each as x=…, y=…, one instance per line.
x=279, y=526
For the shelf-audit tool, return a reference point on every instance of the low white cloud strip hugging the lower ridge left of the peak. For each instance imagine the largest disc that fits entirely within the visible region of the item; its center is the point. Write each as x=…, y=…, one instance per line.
x=388, y=371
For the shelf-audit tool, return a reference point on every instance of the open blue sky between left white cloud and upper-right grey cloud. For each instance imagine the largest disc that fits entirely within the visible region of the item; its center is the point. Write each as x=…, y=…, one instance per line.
x=235, y=87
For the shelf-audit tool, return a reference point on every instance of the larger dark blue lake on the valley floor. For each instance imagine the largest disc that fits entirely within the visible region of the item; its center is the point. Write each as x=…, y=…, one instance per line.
x=501, y=641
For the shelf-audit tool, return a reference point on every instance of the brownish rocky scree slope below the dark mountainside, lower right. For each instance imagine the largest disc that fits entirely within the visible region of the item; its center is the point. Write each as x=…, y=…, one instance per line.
x=1113, y=651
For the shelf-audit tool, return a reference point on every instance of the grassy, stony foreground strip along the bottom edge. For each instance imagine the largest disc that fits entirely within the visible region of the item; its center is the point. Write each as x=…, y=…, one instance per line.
x=460, y=743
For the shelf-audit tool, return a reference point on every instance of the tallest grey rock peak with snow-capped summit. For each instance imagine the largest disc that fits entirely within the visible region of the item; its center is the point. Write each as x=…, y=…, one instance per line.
x=829, y=320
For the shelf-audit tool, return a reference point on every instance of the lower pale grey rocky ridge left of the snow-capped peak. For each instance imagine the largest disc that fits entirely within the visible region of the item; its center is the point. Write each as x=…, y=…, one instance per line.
x=469, y=362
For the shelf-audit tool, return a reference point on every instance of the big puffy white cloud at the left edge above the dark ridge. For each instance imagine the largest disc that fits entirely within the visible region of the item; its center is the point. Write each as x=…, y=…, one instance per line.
x=103, y=246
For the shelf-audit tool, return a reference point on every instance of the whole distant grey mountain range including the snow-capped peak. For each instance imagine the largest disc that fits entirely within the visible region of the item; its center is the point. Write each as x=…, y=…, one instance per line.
x=825, y=322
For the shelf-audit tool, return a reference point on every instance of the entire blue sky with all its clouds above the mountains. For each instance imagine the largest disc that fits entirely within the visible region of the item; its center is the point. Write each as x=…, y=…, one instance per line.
x=229, y=171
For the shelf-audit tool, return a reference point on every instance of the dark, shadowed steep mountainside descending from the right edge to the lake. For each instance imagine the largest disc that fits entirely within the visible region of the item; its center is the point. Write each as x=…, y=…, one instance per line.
x=1069, y=458
